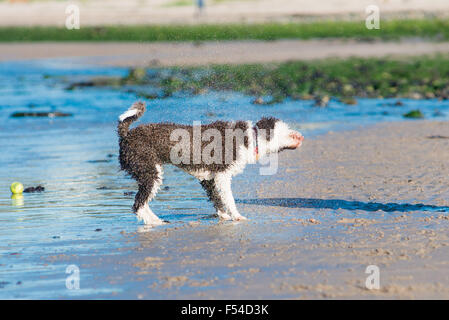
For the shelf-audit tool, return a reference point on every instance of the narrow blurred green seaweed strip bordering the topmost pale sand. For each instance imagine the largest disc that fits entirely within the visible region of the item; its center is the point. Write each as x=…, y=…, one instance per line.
x=437, y=29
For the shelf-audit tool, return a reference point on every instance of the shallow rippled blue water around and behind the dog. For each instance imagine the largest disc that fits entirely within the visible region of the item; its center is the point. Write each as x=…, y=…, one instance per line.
x=84, y=209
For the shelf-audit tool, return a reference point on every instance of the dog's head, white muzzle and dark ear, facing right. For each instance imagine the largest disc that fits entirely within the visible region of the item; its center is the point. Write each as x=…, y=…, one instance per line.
x=275, y=136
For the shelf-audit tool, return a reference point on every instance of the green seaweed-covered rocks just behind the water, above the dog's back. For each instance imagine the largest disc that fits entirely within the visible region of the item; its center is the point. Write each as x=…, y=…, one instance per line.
x=412, y=78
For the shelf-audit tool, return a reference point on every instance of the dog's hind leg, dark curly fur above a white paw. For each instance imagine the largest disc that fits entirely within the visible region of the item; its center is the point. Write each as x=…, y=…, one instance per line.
x=149, y=183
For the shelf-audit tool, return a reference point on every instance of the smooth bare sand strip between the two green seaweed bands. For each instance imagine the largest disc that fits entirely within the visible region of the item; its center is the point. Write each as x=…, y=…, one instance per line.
x=235, y=52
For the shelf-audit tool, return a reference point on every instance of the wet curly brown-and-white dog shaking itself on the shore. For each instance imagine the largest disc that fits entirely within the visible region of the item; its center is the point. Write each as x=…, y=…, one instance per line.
x=144, y=149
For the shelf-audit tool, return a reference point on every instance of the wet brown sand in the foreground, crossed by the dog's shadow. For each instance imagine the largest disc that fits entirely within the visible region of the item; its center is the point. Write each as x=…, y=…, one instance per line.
x=345, y=200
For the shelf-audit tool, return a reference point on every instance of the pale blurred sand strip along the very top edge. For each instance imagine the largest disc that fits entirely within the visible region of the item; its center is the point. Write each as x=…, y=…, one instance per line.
x=112, y=12
